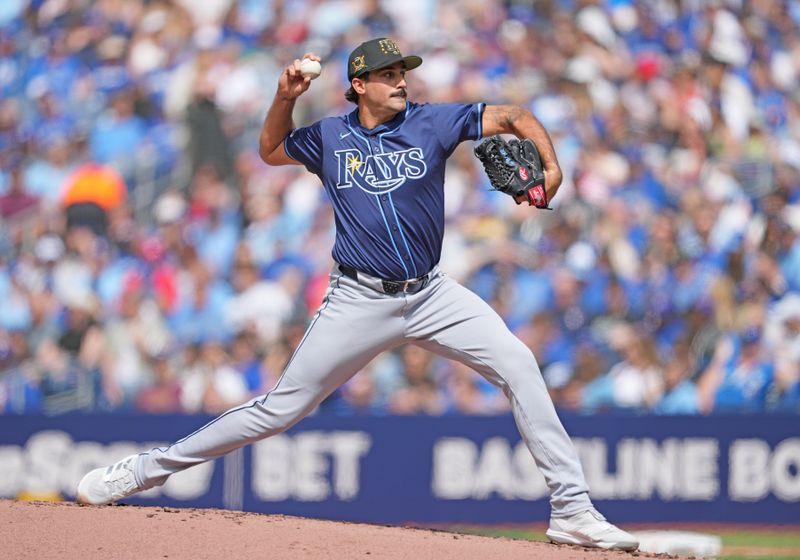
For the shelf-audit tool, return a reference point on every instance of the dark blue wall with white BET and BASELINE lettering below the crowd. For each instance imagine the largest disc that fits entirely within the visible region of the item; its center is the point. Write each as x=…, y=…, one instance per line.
x=452, y=469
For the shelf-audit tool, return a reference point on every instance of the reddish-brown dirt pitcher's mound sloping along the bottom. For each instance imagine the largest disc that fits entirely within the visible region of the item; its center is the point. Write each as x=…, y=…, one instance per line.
x=45, y=530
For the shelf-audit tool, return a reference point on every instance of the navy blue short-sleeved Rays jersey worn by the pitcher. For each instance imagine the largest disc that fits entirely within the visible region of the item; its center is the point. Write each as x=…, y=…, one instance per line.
x=386, y=184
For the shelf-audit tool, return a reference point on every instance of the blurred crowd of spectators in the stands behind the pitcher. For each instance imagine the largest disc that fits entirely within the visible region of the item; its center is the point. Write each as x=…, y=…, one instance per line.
x=150, y=261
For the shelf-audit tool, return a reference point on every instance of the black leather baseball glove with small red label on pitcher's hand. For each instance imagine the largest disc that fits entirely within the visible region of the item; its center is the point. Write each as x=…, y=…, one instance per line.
x=514, y=168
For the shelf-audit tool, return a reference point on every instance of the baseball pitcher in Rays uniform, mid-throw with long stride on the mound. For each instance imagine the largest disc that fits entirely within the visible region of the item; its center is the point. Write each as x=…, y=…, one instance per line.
x=383, y=167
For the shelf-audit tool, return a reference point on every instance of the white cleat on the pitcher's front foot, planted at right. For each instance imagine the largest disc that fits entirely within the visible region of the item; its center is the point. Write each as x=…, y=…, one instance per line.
x=589, y=528
